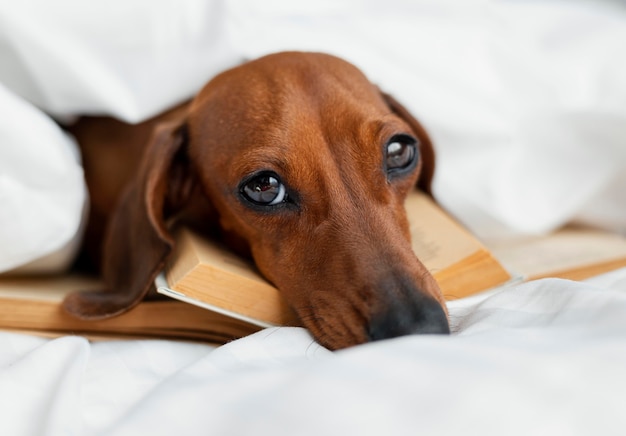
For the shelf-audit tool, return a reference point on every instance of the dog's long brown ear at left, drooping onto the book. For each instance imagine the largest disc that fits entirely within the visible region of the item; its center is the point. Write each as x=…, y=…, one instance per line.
x=137, y=242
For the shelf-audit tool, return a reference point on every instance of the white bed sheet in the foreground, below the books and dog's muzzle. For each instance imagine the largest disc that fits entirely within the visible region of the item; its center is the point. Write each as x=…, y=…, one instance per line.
x=544, y=357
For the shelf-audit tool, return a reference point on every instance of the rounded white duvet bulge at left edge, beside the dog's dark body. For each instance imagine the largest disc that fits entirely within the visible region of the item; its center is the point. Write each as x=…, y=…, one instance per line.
x=42, y=190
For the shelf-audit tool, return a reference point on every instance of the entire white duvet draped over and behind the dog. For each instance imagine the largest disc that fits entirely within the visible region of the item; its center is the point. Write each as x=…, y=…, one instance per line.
x=526, y=100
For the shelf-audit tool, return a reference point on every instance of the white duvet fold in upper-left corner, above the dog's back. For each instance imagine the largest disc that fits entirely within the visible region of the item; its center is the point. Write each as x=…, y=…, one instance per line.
x=131, y=58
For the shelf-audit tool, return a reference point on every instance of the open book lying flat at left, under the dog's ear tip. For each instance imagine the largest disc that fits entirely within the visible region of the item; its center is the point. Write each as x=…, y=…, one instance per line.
x=33, y=305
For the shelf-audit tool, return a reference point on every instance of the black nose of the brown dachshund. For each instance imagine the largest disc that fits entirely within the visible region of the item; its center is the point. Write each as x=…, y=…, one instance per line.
x=420, y=315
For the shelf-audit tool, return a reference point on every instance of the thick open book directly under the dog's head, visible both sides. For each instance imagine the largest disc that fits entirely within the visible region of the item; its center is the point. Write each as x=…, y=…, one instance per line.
x=206, y=274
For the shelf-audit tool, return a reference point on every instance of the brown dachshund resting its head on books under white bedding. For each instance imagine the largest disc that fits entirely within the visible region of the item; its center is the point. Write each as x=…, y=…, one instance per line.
x=299, y=161
